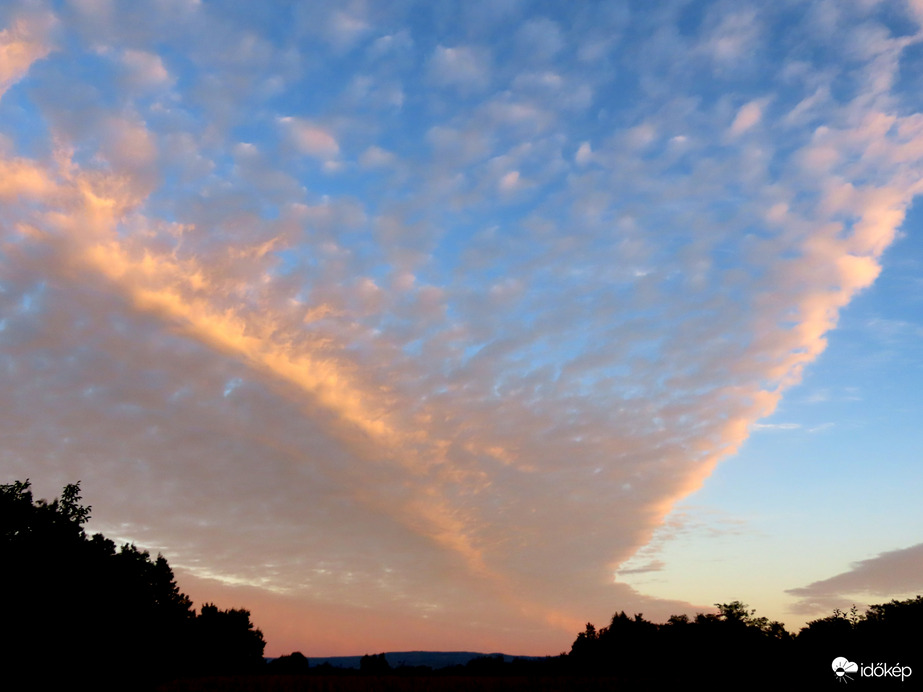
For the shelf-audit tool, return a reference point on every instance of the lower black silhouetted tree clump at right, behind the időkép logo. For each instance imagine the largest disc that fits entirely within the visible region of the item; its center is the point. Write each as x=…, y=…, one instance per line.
x=735, y=645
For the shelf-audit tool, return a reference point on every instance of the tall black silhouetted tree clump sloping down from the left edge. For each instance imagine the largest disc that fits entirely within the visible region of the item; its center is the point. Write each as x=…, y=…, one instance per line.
x=75, y=608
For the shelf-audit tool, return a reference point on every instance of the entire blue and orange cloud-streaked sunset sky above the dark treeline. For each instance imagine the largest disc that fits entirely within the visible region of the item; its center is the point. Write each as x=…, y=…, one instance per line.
x=454, y=326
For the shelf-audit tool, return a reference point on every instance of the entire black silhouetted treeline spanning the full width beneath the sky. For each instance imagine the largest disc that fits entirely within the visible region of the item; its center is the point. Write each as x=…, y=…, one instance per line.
x=75, y=608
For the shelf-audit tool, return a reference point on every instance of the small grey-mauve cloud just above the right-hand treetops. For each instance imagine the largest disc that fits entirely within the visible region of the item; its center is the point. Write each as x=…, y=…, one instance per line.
x=887, y=575
